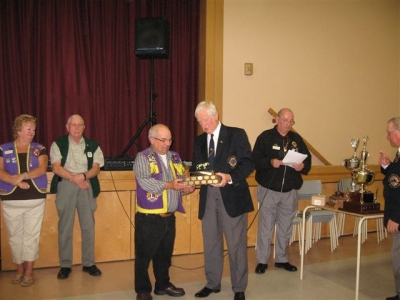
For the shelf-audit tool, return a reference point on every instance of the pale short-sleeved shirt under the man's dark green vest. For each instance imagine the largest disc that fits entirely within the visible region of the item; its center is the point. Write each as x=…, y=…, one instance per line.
x=77, y=158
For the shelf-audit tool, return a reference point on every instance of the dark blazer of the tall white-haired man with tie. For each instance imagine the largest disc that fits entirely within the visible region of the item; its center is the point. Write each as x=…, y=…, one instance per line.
x=233, y=157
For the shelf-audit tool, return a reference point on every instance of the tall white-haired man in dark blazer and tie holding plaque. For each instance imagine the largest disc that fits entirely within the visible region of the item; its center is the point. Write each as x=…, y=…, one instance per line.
x=223, y=206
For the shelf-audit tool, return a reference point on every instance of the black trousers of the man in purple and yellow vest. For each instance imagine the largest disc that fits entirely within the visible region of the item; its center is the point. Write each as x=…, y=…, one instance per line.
x=154, y=241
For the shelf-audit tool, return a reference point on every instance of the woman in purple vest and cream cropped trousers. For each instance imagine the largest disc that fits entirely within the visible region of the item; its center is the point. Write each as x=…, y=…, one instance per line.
x=23, y=184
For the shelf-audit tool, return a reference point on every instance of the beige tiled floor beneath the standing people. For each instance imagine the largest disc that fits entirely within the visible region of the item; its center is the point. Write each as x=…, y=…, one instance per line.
x=327, y=275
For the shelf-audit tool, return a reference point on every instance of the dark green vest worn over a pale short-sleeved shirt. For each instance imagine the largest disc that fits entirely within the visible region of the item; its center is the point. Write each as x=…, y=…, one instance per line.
x=63, y=145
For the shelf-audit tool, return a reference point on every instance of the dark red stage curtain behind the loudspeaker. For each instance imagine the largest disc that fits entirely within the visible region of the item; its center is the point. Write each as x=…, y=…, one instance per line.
x=60, y=57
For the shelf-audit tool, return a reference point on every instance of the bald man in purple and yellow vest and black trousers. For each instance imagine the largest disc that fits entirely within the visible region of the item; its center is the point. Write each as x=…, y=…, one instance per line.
x=159, y=176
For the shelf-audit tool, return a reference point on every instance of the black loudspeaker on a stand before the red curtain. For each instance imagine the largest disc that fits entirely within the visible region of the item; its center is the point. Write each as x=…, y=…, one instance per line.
x=152, y=38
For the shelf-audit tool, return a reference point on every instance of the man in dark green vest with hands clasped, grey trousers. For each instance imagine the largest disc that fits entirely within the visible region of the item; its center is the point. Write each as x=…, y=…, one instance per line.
x=76, y=162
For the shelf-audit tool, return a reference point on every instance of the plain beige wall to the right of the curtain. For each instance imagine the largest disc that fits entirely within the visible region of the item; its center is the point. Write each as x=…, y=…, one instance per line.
x=334, y=62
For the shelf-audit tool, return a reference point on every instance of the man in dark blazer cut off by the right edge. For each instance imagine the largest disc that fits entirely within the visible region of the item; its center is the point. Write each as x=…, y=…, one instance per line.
x=391, y=193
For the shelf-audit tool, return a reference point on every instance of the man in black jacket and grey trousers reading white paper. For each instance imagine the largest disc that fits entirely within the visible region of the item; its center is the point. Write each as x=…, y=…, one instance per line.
x=277, y=189
